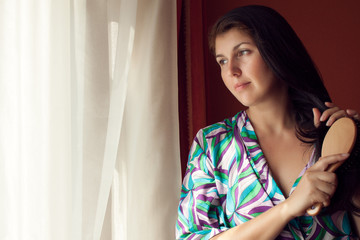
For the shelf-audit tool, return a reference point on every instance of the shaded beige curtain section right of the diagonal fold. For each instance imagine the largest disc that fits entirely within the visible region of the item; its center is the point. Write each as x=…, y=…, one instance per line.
x=149, y=141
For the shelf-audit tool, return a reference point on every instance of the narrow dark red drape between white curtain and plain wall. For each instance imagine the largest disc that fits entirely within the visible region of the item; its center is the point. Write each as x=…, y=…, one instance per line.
x=192, y=84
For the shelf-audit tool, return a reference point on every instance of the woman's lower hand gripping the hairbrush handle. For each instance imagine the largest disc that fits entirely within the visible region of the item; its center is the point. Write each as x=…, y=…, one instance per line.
x=316, y=186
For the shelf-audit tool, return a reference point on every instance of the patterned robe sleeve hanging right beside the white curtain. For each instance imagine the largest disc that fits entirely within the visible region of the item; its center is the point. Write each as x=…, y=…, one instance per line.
x=199, y=211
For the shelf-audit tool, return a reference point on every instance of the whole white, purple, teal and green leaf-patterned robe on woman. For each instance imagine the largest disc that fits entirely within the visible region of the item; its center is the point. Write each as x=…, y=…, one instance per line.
x=228, y=182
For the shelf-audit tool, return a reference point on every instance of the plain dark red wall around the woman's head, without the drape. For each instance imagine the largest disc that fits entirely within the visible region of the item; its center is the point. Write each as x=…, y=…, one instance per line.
x=329, y=30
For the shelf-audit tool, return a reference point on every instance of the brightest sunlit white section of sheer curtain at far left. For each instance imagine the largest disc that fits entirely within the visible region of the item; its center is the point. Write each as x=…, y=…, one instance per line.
x=35, y=122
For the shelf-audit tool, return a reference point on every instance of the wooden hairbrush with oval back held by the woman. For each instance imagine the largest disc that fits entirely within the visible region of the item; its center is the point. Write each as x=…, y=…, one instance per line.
x=340, y=138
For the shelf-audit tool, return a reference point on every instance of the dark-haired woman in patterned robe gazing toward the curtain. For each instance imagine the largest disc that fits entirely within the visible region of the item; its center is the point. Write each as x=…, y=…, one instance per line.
x=254, y=176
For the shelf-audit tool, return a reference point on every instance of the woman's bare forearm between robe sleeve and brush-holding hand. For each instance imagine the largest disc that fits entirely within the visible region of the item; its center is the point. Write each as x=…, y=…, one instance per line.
x=265, y=226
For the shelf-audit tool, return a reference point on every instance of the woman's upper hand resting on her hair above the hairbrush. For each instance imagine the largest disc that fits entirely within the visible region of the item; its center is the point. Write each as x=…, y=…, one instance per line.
x=333, y=113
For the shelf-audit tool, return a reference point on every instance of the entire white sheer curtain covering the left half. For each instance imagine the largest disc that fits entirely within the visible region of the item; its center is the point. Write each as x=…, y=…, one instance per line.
x=88, y=119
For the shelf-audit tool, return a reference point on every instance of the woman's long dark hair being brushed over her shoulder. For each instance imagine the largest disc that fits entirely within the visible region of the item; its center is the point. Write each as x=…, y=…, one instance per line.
x=286, y=56
